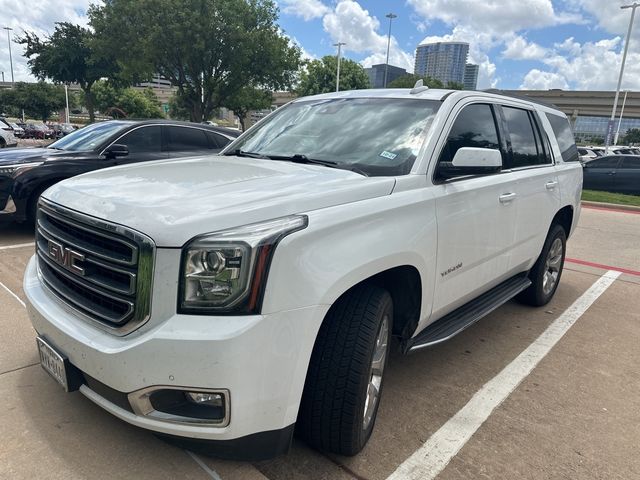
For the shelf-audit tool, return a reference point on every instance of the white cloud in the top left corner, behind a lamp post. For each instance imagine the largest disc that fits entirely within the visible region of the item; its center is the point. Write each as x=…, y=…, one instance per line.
x=38, y=17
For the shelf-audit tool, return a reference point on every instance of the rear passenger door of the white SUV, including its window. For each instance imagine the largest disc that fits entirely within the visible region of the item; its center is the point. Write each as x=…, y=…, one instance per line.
x=536, y=183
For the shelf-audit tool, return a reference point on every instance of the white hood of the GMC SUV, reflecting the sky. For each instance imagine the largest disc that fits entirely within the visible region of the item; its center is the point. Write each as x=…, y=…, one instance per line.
x=172, y=201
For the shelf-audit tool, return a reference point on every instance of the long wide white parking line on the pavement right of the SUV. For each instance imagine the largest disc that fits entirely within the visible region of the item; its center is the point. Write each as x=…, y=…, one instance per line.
x=436, y=453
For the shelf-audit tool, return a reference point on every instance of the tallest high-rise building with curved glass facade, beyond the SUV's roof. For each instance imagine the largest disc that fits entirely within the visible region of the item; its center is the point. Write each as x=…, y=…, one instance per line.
x=444, y=61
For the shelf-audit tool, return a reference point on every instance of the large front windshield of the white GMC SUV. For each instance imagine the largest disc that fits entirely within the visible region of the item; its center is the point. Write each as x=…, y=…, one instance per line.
x=377, y=136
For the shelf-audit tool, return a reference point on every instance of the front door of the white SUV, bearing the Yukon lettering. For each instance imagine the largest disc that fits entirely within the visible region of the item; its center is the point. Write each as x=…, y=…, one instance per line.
x=476, y=215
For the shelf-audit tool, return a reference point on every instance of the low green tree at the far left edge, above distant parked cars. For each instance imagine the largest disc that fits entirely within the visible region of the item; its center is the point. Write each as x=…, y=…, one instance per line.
x=38, y=100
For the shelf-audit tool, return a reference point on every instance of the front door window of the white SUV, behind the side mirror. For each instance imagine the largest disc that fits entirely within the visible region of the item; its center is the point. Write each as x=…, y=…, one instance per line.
x=474, y=127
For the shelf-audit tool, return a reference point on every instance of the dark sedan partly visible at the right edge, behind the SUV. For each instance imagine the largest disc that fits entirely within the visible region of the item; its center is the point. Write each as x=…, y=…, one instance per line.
x=613, y=173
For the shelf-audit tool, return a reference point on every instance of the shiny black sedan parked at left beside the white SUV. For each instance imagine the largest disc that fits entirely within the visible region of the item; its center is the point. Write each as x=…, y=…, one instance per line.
x=26, y=172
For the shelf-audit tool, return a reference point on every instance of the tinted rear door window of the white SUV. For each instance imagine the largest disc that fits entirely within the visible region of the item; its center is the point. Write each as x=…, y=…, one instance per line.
x=526, y=149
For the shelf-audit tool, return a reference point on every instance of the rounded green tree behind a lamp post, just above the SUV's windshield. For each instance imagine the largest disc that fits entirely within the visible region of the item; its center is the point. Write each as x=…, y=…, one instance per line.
x=319, y=76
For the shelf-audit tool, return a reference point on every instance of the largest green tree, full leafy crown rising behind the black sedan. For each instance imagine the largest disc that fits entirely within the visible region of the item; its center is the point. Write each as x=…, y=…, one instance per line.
x=209, y=49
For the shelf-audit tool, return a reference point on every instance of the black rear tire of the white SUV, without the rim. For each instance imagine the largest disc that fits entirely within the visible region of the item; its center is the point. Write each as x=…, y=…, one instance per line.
x=538, y=293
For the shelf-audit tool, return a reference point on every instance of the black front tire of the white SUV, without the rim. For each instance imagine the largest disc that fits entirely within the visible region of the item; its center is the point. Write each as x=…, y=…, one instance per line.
x=332, y=412
